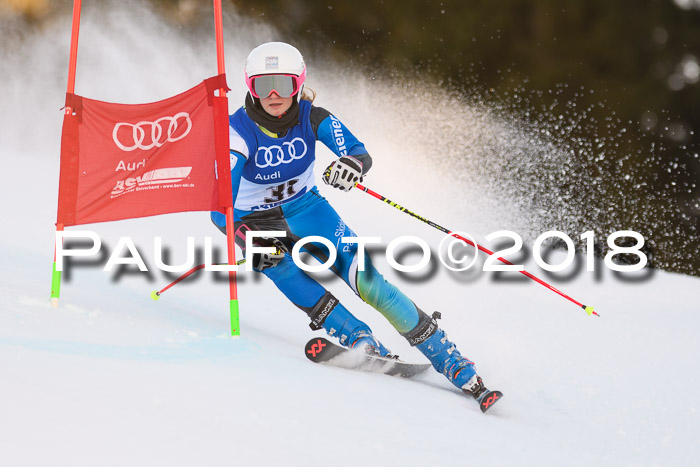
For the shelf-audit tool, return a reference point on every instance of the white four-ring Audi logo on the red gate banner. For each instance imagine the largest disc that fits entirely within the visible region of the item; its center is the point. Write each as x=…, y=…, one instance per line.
x=148, y=135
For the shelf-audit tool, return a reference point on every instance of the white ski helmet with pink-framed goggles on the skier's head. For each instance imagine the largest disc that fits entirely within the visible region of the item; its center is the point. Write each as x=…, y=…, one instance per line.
x=279, y=59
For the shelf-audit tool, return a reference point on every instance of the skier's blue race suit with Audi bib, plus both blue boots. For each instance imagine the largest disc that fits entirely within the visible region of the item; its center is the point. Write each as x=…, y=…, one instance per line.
x=272, y=177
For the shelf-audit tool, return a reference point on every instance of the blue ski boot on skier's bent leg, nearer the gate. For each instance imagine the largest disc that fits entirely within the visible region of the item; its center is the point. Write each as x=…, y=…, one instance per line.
x=332, y=316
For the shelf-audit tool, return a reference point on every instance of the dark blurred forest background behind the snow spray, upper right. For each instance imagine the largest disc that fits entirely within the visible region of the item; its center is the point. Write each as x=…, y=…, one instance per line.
x=637, y=60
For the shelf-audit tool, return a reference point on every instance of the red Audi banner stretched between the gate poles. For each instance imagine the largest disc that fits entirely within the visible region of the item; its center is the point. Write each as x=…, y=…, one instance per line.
x=124, y=161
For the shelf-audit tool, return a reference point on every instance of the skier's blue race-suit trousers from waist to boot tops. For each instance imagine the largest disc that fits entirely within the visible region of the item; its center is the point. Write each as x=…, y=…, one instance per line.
x=311, y=215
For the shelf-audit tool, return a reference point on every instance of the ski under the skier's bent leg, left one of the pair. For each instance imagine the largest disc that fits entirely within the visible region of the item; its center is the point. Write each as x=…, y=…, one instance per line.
x=321, y=350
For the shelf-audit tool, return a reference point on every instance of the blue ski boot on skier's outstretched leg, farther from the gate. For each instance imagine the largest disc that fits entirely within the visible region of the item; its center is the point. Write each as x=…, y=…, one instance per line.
x=443, y=354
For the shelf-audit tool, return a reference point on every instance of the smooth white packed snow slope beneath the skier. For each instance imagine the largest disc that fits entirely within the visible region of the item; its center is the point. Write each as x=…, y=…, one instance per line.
x=113, y=378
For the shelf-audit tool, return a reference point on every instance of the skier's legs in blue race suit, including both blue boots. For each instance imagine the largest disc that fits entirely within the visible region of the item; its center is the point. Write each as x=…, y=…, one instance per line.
x=311, y=215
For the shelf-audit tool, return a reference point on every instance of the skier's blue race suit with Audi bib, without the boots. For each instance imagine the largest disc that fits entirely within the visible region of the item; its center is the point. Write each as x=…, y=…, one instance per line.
x=274, y=181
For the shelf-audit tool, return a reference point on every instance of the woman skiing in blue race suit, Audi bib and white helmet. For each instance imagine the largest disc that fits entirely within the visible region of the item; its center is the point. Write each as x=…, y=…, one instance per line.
x=273, y=138
